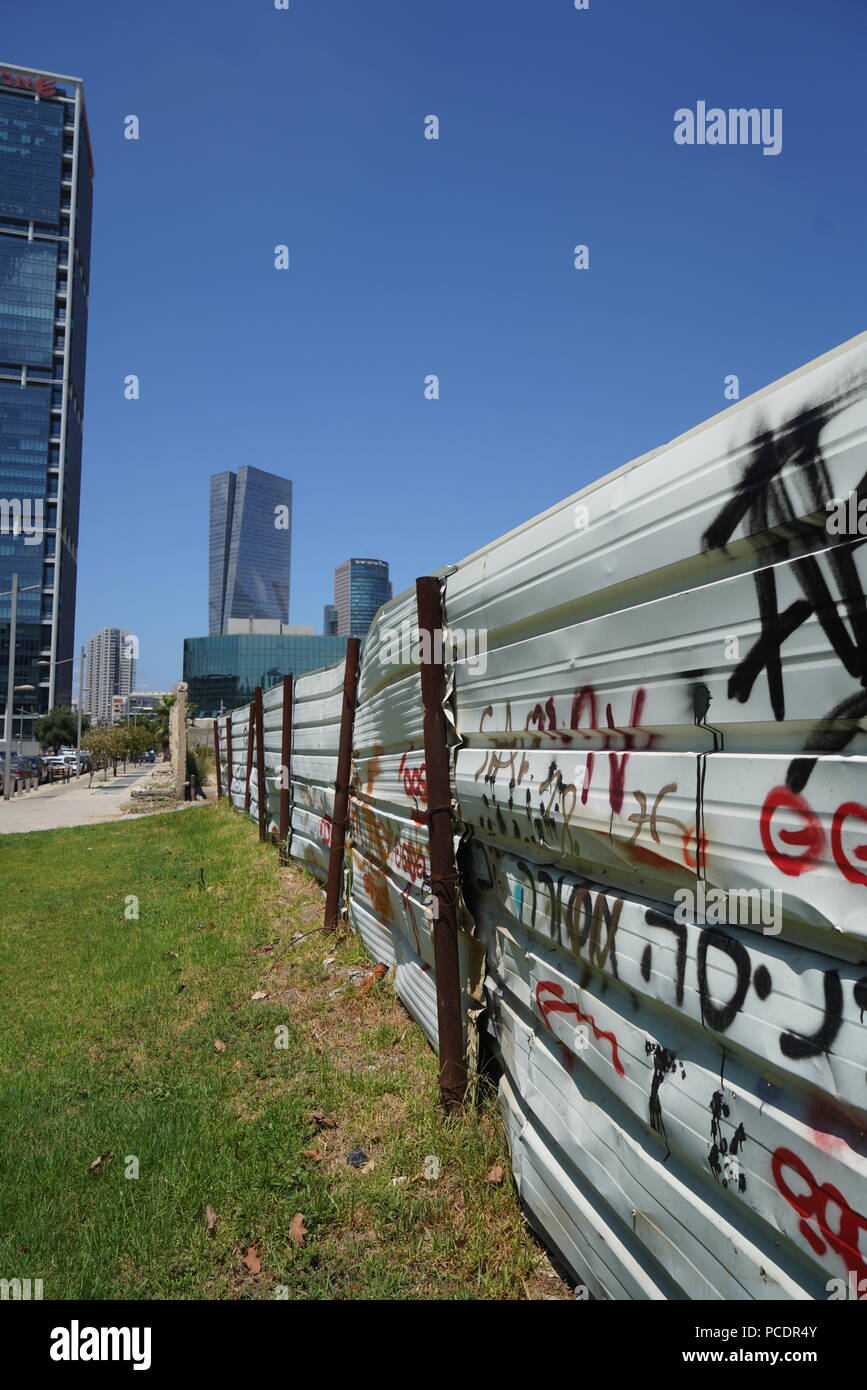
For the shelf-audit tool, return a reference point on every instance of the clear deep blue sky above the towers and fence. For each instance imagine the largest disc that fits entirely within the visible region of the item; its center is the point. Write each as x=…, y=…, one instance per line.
x=412, y=256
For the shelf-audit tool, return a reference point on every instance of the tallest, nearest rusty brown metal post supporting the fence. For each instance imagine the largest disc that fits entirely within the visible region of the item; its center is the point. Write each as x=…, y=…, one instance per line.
x=441, y=846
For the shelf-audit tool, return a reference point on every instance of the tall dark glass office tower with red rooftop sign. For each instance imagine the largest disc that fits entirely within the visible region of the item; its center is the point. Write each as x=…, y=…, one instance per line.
x=47, y=177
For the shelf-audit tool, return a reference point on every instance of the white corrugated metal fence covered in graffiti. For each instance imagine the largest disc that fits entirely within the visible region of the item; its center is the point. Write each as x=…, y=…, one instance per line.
x=658, y=693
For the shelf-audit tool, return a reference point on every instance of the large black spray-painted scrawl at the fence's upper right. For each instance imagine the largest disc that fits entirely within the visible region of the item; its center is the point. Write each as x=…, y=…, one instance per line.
x=762, y=504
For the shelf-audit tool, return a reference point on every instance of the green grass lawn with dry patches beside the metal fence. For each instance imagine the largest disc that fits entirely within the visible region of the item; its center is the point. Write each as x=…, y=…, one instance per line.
x=108, y=1047
